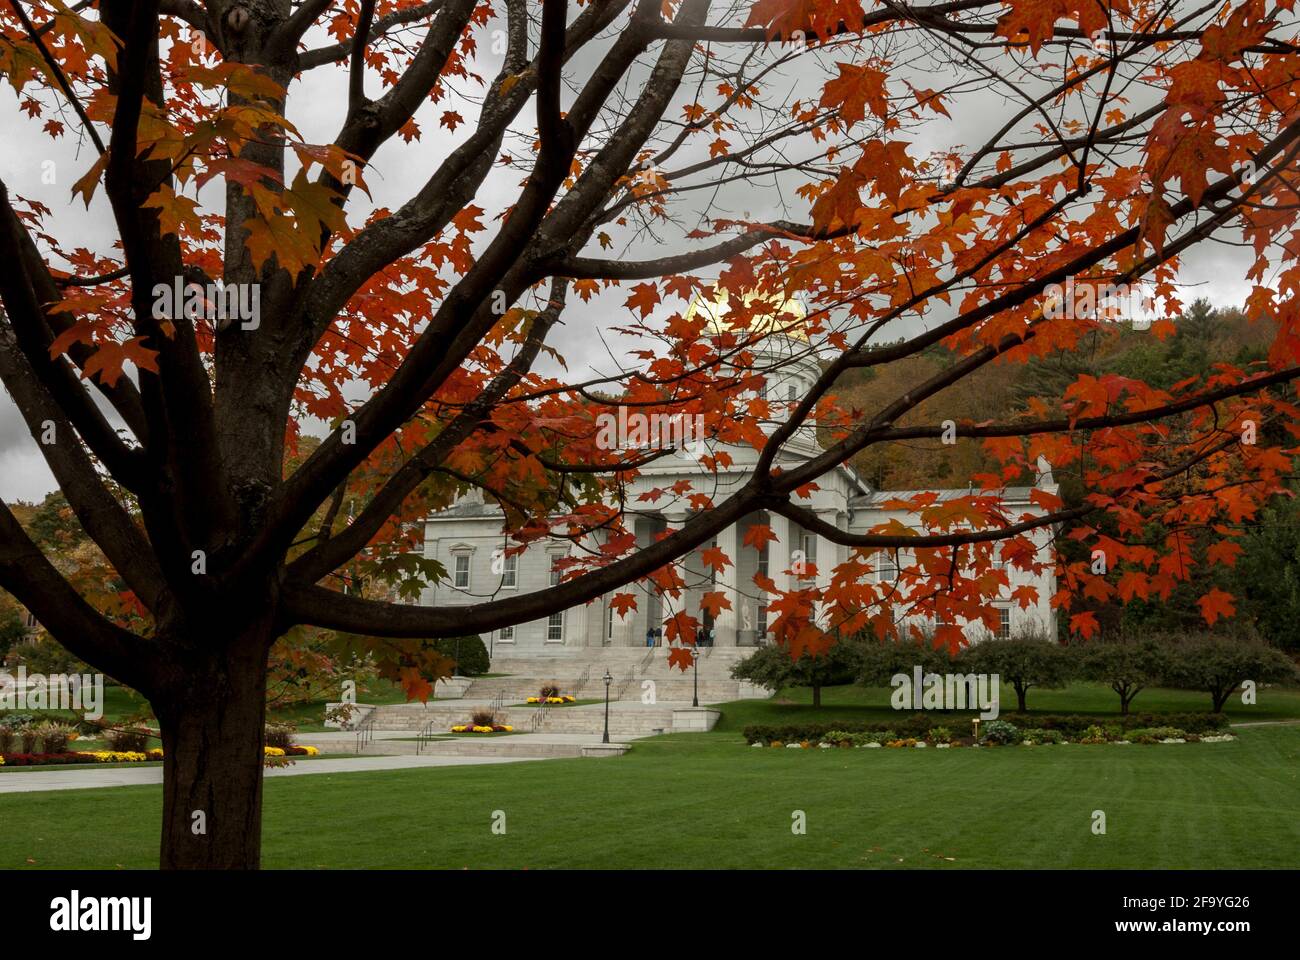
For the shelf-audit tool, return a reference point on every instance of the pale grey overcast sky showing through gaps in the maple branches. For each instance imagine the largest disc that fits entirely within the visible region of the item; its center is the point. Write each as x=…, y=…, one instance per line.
x=586, y=340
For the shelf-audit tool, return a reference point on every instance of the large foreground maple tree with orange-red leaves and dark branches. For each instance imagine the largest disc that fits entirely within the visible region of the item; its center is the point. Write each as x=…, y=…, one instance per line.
x=1120, y=136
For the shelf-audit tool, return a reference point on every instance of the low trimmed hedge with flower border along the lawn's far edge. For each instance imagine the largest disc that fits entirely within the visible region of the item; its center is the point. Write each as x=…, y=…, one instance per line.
x=922, y=723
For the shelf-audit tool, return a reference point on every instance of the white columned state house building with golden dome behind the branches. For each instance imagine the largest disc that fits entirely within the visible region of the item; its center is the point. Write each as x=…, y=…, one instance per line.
x=469, y=537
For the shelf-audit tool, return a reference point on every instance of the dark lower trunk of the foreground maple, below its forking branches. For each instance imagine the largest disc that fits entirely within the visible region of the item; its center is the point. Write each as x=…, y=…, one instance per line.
x=214, y=727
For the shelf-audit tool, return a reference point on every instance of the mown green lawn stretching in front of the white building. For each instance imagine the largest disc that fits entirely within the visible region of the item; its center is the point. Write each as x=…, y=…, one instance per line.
x=708, y=801
